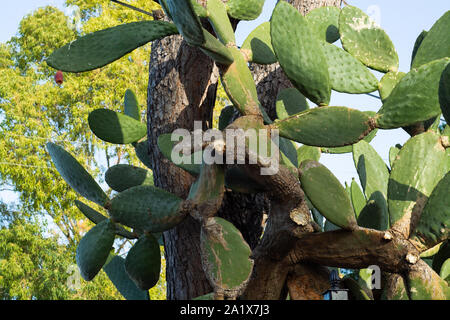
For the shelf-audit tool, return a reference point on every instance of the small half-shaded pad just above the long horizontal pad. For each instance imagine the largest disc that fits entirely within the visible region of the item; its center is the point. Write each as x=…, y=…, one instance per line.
x=290, y=102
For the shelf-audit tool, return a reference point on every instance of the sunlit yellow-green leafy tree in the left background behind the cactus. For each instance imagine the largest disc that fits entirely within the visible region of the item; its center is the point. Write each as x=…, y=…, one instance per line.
x=33, y=109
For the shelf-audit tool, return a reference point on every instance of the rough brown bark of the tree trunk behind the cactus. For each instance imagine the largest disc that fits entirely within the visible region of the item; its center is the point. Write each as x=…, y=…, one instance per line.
x=182, y=89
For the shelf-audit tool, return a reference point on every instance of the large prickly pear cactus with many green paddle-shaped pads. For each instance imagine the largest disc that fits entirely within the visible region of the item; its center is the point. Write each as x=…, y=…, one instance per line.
x=405, y=203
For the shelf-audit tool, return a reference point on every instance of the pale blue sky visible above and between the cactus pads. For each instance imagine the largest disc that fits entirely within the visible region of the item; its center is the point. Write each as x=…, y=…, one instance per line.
x=402, y=20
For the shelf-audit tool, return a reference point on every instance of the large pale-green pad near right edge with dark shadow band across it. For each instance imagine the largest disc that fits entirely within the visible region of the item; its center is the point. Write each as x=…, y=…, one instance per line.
x=408, y=191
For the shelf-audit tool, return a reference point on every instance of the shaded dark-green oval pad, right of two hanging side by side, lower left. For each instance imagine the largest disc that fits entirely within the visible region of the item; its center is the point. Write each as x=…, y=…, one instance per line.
x=143, y=262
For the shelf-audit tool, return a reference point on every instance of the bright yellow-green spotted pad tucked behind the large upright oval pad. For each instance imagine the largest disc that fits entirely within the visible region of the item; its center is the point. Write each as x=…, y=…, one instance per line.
x=346, y=73
